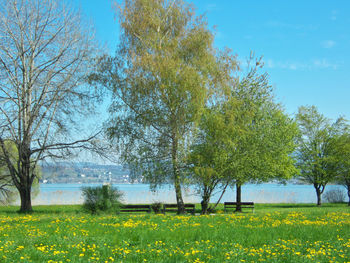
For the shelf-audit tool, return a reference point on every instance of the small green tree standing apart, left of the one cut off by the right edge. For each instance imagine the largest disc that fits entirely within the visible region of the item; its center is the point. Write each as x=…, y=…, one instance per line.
x=316, y=148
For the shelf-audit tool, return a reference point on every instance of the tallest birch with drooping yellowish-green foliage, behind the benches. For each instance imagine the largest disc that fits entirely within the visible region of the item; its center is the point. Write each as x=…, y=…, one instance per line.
x=161, y=76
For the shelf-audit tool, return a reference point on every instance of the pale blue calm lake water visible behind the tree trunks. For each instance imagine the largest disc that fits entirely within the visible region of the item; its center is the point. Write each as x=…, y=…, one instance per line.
x=140, y=193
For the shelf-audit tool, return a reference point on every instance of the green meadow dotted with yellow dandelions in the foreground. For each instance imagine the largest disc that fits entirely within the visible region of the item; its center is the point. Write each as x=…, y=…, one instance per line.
x=274, y=233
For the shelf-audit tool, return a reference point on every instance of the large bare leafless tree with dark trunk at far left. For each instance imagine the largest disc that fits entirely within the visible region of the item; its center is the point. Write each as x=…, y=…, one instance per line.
x=45, y=56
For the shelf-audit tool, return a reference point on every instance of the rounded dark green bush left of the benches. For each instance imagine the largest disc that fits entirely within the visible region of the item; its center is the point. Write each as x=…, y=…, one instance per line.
x=101, y=198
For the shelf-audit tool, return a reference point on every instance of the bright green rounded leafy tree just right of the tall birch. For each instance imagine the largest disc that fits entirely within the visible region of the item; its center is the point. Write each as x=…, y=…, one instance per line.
x=246, y=137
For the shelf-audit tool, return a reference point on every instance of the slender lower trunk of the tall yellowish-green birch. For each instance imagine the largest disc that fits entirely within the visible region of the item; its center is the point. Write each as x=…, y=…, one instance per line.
x=177, y=183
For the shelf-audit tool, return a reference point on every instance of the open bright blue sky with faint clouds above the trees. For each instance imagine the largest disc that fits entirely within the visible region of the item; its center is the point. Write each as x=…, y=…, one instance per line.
x=304, y=44
